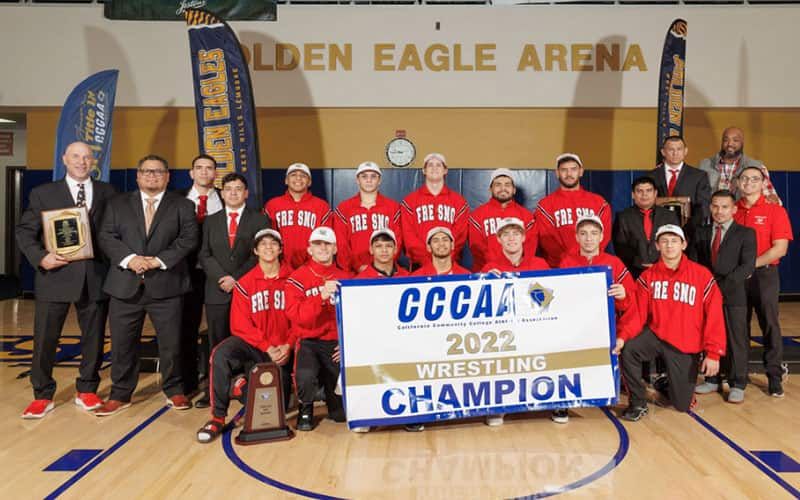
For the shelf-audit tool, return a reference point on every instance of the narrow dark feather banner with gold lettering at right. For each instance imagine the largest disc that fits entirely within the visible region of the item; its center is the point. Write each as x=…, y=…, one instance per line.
x=671, y=88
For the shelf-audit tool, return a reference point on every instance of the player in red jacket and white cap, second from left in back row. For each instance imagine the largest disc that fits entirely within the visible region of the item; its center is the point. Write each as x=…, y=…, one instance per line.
x=357, y=218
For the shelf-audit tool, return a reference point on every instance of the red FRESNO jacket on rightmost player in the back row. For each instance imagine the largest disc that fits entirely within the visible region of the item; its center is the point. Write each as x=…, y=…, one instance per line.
x=556, y=216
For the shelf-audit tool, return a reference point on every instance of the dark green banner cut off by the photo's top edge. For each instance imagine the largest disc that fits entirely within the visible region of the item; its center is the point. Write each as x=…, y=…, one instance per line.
x=173, y=10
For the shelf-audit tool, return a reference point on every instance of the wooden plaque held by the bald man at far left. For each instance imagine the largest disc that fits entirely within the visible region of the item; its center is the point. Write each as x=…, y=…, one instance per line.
x=67, y=233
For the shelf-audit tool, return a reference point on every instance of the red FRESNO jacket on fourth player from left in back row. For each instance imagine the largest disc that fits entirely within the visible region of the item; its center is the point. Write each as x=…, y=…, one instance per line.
x=483, y=242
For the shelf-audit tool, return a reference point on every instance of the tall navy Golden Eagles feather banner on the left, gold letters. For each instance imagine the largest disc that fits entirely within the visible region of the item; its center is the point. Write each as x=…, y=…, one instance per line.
x=223, y=97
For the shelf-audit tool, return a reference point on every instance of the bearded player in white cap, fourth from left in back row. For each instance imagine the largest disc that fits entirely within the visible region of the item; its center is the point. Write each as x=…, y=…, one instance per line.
x=484, y=221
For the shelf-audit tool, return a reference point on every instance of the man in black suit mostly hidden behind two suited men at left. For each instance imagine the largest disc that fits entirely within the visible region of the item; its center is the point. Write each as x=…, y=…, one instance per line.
x=207, y=201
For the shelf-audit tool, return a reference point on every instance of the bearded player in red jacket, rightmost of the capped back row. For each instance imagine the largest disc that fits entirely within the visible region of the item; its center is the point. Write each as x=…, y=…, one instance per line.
x=558, y=212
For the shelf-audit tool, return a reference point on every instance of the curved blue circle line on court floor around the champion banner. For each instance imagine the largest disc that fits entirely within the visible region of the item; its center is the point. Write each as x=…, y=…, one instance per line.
x=619, y=456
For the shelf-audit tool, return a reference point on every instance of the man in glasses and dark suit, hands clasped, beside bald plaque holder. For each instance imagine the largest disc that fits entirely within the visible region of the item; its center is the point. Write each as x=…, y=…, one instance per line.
x=147, y=235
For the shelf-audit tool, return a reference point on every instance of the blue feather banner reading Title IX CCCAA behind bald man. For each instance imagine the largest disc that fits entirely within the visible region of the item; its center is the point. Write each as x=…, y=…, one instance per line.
x=86, y=117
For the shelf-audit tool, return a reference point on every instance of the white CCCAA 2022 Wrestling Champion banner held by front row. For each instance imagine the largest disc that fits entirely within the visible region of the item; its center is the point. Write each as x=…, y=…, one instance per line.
x=423, y=349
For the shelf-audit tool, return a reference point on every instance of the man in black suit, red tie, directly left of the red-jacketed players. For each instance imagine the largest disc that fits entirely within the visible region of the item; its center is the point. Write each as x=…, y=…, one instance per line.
x=226, y=255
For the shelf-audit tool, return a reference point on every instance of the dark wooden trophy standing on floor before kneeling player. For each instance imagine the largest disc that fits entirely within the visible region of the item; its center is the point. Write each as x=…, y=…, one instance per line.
x=264, y=418
